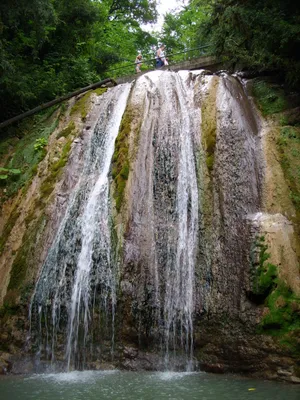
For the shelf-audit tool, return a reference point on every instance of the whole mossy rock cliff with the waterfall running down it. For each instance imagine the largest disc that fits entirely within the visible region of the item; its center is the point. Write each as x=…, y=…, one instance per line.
x=179, y=249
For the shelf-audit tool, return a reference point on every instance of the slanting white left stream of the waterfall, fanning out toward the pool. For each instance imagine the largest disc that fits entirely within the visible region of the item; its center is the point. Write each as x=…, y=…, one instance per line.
x=77, y=282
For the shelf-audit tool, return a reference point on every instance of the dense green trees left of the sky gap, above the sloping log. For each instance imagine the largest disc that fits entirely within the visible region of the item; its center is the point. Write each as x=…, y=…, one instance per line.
x=50, y=47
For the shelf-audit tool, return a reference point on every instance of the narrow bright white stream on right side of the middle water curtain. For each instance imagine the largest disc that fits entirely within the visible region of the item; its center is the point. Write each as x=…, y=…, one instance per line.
x=179, y=296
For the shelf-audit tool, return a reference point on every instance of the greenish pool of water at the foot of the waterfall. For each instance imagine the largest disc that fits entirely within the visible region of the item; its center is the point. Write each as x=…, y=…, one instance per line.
x=90, y=385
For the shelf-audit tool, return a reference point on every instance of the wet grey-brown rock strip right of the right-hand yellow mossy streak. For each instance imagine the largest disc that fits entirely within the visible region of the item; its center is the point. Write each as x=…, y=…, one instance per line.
x=236, y=182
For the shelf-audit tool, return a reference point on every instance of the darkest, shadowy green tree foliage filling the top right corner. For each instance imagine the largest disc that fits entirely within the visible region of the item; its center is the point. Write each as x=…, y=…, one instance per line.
x=260, y=35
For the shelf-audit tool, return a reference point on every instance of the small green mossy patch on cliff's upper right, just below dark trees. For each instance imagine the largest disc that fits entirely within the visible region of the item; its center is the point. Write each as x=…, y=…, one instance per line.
x=270, y=99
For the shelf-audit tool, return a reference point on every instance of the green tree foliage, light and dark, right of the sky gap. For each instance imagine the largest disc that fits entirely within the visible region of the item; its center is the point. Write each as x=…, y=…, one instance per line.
x=259, y=35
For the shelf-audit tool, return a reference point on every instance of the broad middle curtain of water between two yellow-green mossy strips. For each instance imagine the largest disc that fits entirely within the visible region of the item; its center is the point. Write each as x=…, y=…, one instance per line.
x=163, y=235
